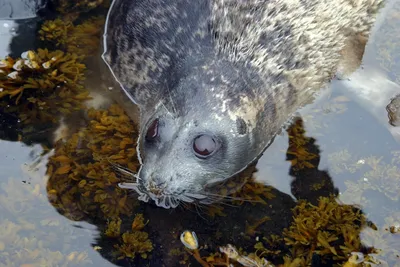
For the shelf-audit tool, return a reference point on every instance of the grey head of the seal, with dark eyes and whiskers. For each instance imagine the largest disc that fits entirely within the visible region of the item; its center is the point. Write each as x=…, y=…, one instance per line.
x=206, y=134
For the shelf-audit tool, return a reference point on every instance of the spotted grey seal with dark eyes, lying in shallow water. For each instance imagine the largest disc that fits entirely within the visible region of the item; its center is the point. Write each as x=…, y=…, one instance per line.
x=216, y=80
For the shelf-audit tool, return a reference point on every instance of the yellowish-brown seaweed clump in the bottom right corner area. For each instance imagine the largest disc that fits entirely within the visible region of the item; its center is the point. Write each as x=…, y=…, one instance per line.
x=329, y=230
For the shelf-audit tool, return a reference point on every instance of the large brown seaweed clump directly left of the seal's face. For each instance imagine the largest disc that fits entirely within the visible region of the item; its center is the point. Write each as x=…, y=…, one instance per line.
x=83, y=180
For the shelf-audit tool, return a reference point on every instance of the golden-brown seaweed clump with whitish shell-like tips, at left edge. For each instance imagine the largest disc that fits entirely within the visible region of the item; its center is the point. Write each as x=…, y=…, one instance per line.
x=42, y=85
